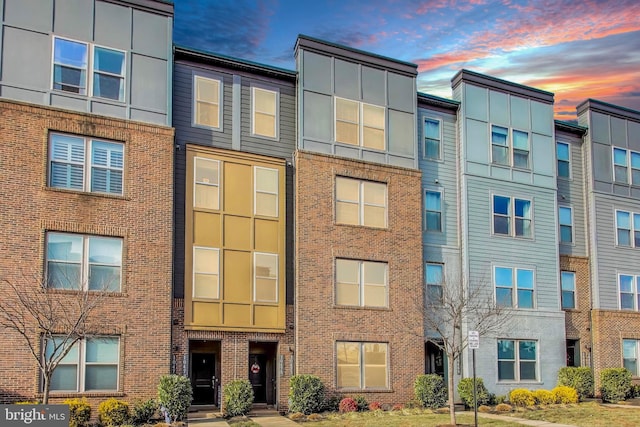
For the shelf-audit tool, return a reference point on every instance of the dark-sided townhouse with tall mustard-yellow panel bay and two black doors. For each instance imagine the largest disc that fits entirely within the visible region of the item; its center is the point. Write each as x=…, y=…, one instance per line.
x=235, y=126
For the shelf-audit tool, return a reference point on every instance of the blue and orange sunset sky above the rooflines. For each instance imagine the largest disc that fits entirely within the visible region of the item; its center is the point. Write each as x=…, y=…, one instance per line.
x=575, y=49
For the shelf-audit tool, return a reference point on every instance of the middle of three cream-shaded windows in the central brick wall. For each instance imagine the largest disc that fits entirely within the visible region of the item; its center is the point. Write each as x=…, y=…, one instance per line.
x=361, y=283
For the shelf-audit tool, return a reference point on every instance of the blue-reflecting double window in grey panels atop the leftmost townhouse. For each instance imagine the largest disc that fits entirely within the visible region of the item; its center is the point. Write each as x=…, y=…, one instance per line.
x=72, y=65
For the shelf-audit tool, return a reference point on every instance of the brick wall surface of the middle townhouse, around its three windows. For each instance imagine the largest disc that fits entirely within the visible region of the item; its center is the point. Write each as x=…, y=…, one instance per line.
x=319, y=323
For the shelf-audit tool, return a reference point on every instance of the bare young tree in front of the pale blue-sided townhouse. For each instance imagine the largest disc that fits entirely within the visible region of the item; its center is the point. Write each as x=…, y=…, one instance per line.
x=458, y=305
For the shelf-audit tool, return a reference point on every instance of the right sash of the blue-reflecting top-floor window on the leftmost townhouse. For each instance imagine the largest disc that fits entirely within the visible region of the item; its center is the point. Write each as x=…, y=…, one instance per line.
x=108, y=73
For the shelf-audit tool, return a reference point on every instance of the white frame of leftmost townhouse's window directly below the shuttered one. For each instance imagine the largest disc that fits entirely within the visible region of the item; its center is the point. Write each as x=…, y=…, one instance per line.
x=84, y=263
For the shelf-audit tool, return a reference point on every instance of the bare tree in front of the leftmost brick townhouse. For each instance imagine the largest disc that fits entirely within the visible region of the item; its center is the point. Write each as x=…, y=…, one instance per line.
x=49, y=321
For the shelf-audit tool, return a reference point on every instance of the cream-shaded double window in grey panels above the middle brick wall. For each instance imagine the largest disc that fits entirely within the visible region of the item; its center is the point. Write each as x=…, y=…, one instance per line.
x=357, y=123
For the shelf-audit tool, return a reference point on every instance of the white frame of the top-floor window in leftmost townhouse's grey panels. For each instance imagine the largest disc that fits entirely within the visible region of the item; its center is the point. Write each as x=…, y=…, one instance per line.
x=90, y=71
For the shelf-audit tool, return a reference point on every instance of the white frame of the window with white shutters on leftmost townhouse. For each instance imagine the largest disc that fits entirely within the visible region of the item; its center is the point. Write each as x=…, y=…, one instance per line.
x=87, y=164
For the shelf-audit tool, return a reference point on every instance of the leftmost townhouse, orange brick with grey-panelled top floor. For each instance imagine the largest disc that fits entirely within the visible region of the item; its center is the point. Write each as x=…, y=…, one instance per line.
x=87, y=170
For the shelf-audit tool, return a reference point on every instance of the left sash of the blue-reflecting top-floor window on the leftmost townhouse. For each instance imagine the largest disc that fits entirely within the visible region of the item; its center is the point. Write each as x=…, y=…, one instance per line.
x=70, y=64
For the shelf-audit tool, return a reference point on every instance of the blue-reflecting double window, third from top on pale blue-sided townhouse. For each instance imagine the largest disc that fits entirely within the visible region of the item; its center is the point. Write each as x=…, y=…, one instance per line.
x=514, y=287
